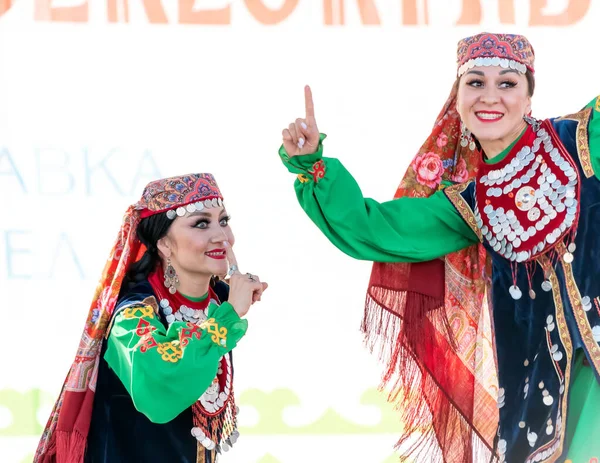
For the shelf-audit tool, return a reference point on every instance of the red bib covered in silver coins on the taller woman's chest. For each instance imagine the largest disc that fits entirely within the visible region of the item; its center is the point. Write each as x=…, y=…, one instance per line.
x=538, y=205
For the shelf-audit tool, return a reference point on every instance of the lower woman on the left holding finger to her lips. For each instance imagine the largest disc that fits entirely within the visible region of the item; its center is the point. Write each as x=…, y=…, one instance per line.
x=154, y=363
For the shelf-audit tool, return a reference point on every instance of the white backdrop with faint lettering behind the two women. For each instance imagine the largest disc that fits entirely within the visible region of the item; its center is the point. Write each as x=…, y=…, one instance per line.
x=90, y=111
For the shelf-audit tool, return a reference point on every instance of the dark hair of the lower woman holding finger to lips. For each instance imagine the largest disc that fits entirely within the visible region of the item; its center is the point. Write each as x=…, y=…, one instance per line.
x=150, y=230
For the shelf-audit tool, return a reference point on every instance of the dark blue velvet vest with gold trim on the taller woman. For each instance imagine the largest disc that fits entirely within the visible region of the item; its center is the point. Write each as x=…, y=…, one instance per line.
x=536, y=338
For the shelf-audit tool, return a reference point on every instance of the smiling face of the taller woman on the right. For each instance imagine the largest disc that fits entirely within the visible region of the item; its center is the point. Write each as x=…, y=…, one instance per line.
x=492, y=102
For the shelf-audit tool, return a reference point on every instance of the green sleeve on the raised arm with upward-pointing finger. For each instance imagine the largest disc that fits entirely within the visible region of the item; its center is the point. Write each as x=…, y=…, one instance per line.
x=401, y=230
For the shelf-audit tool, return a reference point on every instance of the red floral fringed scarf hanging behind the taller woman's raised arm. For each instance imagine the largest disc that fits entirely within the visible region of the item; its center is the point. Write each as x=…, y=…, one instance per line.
x=431, y=325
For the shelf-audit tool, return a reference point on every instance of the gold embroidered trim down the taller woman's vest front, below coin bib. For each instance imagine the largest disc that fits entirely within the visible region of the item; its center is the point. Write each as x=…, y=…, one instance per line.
x=563, y=332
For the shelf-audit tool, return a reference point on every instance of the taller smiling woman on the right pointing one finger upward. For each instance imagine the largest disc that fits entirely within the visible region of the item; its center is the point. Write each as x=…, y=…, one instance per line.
x=497, y=211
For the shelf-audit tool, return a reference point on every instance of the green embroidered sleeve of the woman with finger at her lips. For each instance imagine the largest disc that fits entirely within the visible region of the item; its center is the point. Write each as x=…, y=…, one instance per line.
x=166, y=370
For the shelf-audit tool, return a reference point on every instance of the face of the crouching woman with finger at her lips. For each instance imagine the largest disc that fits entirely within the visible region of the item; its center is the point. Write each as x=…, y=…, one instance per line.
x=195, y=243
